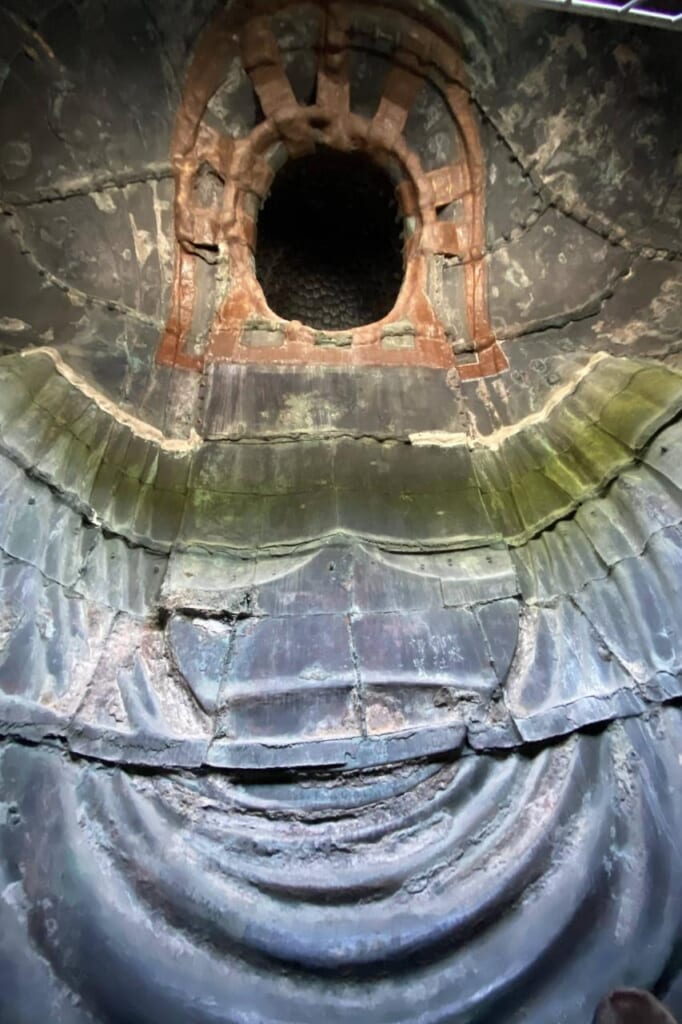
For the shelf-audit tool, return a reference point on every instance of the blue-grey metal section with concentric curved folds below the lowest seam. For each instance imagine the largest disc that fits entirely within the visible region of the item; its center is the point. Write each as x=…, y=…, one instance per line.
x=437, y=893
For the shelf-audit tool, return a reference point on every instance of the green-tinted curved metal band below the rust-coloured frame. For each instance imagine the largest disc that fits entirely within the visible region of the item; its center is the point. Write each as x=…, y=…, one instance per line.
x=241, y=496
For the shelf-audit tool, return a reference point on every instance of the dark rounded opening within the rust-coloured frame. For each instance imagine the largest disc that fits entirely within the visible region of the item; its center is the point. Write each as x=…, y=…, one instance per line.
x=330, y=242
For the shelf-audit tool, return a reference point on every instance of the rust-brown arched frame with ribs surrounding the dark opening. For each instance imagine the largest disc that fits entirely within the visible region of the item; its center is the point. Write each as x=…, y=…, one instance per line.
x=247, y=168
